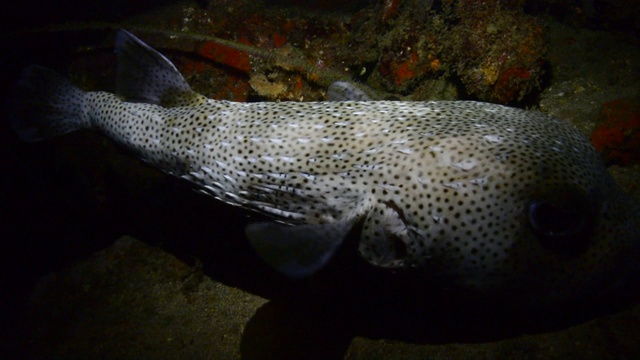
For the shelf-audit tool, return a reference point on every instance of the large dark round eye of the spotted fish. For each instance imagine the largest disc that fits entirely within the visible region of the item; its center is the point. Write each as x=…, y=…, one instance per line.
x=562, y=220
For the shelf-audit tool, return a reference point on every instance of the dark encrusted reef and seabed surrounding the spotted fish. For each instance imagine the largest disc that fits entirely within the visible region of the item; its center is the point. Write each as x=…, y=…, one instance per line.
x=71, y=197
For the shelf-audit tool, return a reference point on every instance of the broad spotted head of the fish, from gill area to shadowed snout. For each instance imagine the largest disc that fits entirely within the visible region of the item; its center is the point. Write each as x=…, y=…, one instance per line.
x=529, y=209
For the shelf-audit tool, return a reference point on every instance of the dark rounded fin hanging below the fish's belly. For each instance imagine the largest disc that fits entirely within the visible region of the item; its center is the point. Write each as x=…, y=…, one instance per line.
x=297, y=251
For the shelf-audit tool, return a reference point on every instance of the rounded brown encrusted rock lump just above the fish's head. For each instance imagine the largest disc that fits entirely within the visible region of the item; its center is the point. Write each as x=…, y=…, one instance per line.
x=497, y=51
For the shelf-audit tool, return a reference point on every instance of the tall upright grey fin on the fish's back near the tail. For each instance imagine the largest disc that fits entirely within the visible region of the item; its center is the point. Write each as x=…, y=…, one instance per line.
x=145, y=75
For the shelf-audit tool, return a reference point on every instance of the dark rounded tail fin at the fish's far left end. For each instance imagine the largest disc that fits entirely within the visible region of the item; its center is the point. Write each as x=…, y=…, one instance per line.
x=47, y=105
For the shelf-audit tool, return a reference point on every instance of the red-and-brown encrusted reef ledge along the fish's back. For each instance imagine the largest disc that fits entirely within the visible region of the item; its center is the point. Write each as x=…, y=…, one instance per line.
x=402, y=48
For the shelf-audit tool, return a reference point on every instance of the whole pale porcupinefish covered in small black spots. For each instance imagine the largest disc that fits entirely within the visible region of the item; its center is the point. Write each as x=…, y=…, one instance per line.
x=489, y=195
